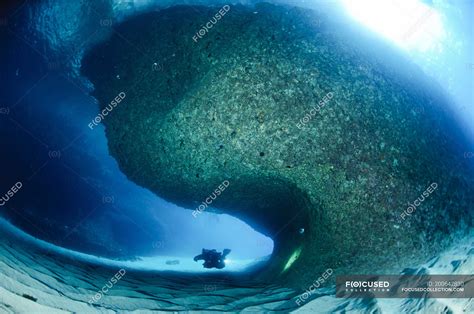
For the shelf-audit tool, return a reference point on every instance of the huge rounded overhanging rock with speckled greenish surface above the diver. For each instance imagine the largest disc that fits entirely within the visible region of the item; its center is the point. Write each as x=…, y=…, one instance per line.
x=325, y=136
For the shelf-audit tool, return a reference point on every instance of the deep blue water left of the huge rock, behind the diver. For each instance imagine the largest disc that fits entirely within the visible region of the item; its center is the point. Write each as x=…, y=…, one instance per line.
x=73, y=194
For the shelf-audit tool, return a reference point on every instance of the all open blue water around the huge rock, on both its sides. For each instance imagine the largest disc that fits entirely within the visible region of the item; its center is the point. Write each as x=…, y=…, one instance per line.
x=74, y=194
